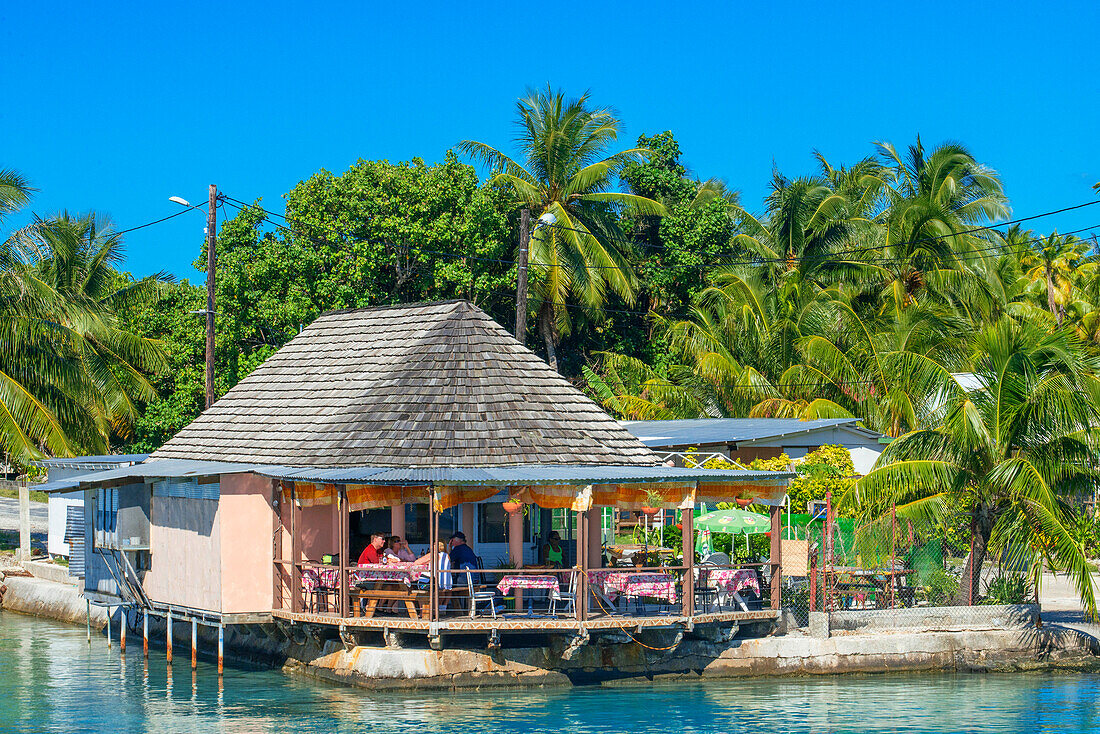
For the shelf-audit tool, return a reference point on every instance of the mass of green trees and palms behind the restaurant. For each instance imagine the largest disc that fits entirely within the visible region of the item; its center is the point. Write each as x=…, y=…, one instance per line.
x=884, y=289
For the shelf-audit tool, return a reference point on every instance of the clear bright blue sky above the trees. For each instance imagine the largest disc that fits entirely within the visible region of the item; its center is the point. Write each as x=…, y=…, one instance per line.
x=116, y=107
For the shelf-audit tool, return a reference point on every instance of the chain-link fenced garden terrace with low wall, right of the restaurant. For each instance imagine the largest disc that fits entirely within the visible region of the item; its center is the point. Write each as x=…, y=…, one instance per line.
x=887, y=574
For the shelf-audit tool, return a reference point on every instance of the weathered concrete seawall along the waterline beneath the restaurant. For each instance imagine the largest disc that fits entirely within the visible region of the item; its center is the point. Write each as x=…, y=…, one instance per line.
x=611, y=661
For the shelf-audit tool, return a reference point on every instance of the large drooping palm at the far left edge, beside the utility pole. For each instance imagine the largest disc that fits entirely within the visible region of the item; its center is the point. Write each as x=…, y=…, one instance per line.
x=69, y=375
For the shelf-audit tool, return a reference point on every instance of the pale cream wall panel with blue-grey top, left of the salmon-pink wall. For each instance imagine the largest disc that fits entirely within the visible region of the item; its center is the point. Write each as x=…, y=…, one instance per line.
x=185, y=554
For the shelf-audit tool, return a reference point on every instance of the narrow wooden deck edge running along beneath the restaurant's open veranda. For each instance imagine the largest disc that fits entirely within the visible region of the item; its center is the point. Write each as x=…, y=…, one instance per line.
x=525, y=625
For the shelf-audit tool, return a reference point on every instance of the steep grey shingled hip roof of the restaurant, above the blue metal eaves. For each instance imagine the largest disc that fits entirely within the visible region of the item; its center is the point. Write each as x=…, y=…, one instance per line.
x=422, y=386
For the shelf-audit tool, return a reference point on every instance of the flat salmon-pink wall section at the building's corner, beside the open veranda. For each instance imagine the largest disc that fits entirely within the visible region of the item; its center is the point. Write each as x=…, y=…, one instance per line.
x=248, y=523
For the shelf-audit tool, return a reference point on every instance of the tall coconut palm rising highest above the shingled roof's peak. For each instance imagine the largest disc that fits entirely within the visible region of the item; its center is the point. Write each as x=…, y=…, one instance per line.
x=567, y=172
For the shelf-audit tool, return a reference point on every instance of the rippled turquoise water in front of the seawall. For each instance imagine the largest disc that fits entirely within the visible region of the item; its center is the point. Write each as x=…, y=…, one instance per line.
x=51, y=681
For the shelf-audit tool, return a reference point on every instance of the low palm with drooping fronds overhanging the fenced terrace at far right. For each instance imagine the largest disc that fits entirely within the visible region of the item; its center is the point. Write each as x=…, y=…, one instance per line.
x=1015, y=451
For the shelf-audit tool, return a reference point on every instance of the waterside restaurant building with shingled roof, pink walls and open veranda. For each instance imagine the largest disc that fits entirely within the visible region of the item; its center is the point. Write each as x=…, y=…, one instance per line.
x=415, y=421
